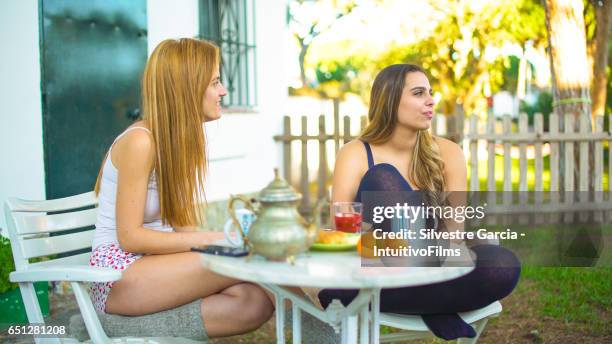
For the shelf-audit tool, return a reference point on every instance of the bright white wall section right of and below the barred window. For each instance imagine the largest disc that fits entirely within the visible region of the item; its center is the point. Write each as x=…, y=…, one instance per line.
x=242, y=150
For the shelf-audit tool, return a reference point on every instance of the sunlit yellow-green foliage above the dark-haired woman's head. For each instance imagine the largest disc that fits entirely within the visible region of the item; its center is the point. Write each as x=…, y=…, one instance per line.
x=463, y=52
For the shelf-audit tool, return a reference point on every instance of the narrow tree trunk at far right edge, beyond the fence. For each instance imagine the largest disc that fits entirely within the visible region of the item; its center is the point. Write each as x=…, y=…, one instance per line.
x=603, y=25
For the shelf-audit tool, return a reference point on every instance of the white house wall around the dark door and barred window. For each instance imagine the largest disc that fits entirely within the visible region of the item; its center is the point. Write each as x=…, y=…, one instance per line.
x=241, y=149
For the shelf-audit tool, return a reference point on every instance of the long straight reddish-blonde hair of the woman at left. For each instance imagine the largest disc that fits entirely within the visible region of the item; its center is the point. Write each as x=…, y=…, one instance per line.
x=174, y=84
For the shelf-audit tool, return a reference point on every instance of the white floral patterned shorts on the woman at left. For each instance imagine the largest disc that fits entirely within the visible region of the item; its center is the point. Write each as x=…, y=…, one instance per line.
x=108, y=256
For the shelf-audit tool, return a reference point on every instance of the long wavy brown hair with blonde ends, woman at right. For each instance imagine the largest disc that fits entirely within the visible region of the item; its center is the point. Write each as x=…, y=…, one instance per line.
x=426, y=168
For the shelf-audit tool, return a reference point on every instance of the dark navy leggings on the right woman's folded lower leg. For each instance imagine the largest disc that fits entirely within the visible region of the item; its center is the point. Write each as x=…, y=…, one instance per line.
x=495, y=275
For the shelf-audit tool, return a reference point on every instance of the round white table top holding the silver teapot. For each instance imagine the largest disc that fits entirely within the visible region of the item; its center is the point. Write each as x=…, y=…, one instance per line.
x=328, y=270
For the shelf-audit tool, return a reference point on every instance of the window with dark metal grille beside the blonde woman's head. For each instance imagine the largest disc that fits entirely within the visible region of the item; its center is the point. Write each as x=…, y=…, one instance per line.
x=231, y=25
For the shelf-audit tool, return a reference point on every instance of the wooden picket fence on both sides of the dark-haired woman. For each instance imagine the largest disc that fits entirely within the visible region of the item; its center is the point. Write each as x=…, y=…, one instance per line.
x=561, y=137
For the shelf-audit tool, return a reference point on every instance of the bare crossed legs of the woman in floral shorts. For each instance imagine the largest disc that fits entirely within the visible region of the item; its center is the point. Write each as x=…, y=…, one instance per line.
x=160, y=282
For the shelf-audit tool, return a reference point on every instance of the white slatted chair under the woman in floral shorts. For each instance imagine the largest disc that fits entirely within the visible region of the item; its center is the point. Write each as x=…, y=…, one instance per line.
x=29, y=226
